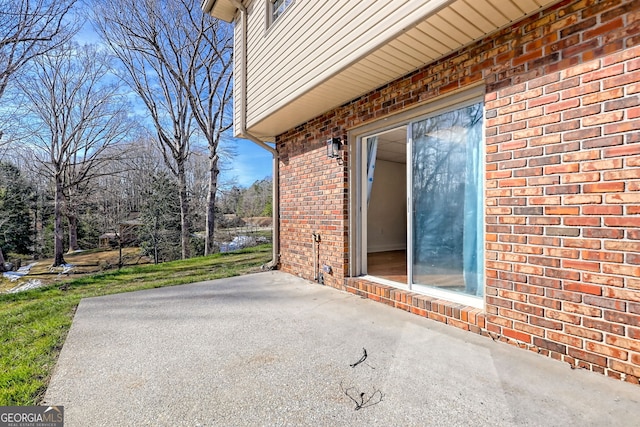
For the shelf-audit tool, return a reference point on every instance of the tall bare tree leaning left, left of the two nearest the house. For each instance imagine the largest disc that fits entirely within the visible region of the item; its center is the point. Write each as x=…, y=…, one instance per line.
x=138, y=36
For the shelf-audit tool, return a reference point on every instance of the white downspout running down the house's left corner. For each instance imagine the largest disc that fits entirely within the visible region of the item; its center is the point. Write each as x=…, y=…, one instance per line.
x=244, y=133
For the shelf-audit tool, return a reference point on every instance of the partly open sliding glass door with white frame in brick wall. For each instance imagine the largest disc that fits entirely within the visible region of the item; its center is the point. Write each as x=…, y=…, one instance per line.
x=420, y=202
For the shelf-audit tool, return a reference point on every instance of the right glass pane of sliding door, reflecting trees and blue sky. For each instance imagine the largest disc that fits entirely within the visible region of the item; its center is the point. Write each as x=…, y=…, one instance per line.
x=446, y=236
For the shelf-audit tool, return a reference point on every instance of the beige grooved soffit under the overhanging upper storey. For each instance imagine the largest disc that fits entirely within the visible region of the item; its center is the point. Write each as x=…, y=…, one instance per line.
x=451, y=28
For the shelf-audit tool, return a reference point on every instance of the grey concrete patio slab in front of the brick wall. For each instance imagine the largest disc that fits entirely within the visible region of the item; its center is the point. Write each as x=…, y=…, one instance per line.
x=273, y=349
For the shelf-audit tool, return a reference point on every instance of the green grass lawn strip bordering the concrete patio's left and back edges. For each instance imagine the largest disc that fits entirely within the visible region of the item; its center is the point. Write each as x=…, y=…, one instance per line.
x=34, y=324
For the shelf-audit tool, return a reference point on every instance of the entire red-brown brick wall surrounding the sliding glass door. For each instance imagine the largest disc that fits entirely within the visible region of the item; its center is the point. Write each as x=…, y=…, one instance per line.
x=563, y=184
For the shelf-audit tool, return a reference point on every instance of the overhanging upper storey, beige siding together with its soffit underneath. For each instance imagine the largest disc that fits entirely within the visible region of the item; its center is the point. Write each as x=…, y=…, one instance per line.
x=320, y=54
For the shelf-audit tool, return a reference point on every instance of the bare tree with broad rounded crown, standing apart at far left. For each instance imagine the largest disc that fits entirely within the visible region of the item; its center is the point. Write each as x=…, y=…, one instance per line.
x=79, y=112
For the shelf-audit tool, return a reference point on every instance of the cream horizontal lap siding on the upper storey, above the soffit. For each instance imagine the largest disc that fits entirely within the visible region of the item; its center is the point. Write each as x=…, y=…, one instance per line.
x=312, y=41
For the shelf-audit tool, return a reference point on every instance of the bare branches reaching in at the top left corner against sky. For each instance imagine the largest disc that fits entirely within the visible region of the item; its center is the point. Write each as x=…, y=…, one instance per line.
x=28, y=29
